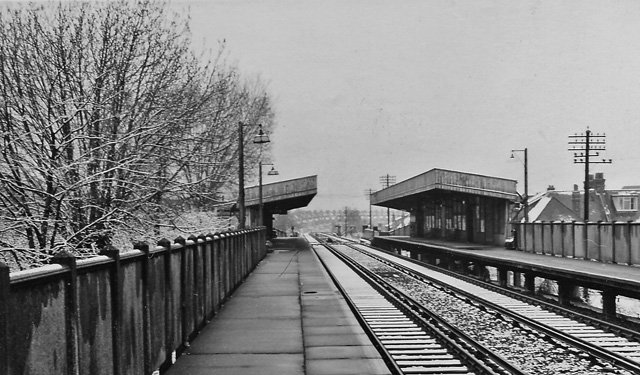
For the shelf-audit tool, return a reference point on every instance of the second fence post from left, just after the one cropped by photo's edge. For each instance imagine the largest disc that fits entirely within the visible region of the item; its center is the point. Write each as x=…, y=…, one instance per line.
x=67, y=259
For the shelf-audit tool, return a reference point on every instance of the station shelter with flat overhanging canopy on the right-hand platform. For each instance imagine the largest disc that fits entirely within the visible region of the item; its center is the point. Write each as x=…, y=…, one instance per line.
x=453, y=206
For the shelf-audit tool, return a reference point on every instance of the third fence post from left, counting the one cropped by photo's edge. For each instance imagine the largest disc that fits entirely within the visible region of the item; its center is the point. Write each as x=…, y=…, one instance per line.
x=116, y=305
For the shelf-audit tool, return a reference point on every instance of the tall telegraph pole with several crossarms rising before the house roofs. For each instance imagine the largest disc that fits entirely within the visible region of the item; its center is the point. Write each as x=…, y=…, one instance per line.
x=584, y=147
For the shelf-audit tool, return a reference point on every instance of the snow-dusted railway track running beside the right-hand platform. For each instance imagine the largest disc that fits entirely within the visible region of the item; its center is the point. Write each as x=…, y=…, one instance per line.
x=611, y=348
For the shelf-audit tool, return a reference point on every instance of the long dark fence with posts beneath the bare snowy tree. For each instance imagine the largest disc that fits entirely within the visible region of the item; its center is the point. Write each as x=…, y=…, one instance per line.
x=120, y=313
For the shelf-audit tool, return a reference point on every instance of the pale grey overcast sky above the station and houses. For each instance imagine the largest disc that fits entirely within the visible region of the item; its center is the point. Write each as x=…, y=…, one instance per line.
x=365, y=88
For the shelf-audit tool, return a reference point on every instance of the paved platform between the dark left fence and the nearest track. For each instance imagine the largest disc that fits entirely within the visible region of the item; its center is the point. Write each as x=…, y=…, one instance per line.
x=286, y=318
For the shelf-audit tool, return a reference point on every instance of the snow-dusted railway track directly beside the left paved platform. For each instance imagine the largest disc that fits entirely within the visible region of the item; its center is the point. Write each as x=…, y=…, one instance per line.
x=412, y=339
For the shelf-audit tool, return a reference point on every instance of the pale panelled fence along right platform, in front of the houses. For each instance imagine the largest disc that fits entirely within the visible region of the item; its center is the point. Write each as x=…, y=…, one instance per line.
x=610, y=242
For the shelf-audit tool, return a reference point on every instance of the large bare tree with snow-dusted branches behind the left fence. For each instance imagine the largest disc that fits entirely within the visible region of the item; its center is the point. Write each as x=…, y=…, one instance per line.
x=109, y=121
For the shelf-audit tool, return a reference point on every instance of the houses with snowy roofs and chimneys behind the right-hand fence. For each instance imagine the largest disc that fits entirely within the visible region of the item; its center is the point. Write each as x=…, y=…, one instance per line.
x=604, y=205
